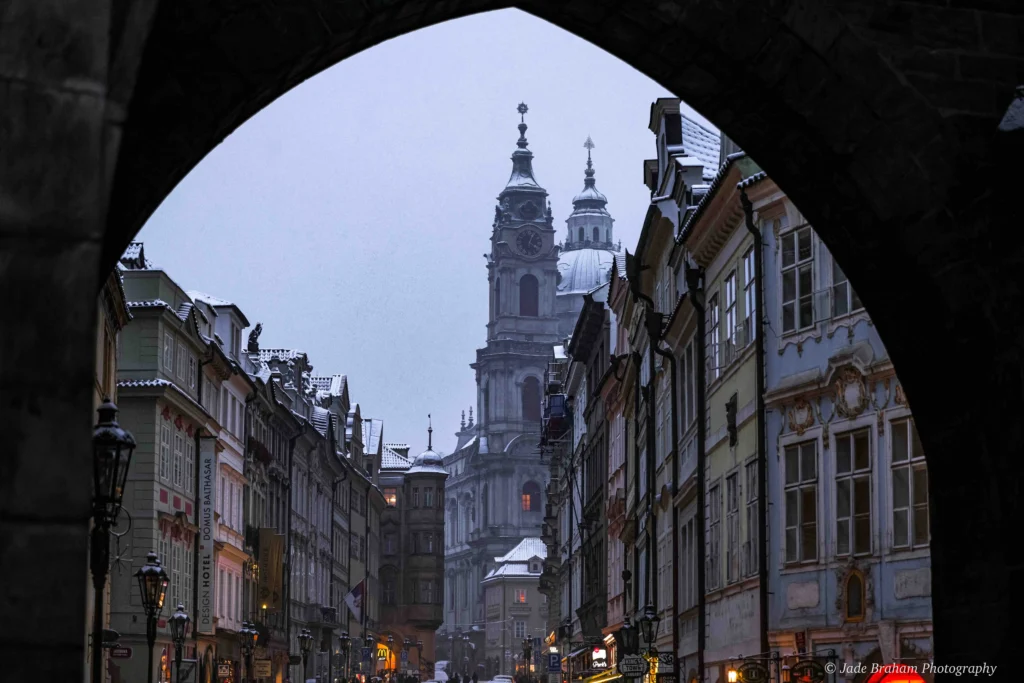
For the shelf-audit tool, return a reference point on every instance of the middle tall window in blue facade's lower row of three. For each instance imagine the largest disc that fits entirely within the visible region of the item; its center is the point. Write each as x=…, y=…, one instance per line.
x=854, y=493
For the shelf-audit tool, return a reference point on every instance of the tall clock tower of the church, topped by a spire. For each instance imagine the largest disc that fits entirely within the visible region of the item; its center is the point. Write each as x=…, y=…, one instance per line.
x=523, y=278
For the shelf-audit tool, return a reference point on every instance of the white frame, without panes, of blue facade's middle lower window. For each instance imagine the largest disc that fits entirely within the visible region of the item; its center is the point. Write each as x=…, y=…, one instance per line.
x=854, y=476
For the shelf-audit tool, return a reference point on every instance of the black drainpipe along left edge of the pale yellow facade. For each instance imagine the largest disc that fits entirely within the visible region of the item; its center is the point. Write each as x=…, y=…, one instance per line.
x=695, y=285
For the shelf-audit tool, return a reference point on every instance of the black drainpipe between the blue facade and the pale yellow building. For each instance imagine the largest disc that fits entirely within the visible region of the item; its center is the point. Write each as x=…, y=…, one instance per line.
x=762, y=428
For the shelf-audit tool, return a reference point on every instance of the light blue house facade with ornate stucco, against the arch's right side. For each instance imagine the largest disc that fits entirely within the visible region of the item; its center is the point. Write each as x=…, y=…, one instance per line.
x=848, y=557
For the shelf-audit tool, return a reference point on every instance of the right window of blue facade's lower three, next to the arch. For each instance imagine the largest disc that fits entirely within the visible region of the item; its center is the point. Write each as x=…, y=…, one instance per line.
x=910, y=488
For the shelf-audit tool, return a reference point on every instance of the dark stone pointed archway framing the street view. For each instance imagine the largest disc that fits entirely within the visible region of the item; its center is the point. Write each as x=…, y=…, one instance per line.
x=880, y=119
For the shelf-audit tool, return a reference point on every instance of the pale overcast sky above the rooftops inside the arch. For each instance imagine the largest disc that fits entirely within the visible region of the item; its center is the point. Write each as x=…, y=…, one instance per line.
x=352, y=216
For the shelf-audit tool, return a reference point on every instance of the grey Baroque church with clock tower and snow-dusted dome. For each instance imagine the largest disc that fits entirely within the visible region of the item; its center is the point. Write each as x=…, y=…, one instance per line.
x=497, y=482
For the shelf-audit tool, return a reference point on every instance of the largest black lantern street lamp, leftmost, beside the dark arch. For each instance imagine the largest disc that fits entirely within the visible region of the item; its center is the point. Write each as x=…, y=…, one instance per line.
x=112, y=450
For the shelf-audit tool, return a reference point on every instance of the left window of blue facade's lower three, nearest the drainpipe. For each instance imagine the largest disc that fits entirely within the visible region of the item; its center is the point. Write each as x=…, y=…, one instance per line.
x=802, y=502
